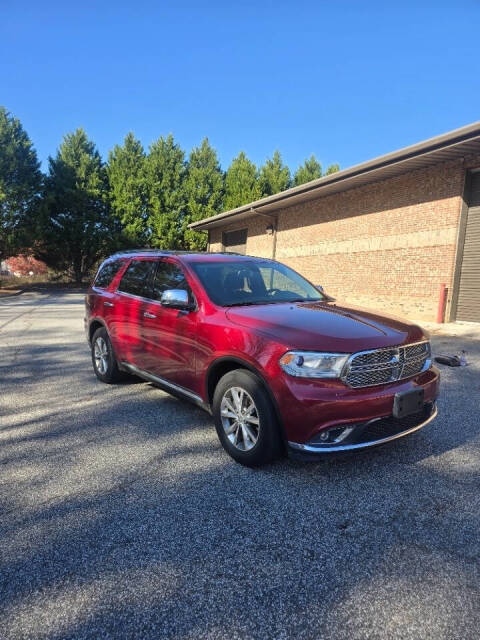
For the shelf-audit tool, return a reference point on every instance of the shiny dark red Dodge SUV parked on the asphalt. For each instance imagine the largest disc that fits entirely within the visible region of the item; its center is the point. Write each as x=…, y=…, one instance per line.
x=278, y=363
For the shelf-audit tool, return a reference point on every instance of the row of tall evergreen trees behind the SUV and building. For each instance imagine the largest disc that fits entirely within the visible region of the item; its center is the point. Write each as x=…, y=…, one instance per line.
x=83, y=208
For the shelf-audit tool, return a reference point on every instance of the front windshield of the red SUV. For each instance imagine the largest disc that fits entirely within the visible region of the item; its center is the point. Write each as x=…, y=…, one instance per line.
x=253, y=282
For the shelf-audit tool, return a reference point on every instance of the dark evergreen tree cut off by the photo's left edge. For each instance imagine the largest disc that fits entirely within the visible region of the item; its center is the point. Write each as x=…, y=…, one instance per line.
x=20, y=184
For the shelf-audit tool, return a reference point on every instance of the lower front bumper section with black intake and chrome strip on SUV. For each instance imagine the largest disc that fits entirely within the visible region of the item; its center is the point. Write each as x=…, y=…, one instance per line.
x=368, y=434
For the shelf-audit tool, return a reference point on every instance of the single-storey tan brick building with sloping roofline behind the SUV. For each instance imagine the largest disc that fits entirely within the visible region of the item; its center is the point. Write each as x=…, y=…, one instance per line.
x=384, y=234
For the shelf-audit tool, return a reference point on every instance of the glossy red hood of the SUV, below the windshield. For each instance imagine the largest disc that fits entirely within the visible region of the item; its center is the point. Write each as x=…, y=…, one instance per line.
x=327, y=326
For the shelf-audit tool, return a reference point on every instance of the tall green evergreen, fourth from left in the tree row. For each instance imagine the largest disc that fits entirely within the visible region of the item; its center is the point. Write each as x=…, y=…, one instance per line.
x=166, y=173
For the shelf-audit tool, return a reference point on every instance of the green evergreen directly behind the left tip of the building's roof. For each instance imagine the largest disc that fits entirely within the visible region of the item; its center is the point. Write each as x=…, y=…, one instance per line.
x=204, y=192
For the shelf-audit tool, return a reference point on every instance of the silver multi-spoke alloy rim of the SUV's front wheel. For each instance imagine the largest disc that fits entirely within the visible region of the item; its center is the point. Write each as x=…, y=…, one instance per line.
x=240, y=418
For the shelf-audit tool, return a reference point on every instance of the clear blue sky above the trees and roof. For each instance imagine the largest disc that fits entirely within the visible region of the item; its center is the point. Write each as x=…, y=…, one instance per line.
x=344, y=80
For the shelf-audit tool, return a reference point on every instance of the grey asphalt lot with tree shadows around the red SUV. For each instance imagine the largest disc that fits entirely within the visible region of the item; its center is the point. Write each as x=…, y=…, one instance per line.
x=122, y=517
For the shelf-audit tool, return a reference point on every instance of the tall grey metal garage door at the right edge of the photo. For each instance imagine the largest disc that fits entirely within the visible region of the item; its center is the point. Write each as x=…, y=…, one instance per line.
x=468, y=306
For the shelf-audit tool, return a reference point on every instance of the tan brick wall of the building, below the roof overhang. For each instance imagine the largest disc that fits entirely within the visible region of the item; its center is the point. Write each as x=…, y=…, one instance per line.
x=388, y=245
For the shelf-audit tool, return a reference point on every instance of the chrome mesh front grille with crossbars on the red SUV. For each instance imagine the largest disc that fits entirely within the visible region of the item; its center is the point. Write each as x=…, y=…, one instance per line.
x=380, y=366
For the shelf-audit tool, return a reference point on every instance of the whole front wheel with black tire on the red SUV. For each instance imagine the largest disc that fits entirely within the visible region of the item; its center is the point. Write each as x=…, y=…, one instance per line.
x=255, y=440
